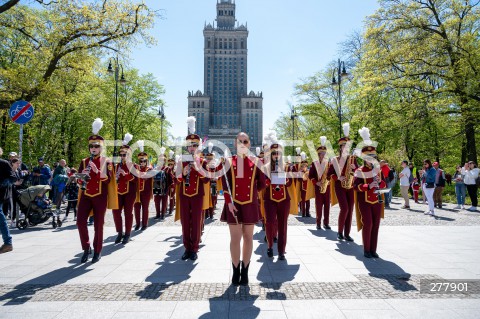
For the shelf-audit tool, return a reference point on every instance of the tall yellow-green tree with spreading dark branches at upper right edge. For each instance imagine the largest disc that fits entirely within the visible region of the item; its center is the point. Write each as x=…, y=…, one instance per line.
x=428, y=49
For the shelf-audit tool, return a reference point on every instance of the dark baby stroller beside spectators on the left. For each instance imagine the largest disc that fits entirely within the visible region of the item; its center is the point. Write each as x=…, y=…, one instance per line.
x=32, y=214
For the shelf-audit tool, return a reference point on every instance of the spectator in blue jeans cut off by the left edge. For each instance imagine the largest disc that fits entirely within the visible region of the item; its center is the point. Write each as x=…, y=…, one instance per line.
x=7, y=178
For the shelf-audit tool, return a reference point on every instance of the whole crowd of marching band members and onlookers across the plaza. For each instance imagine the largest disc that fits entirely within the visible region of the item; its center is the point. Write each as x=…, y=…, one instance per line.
x=265, y=188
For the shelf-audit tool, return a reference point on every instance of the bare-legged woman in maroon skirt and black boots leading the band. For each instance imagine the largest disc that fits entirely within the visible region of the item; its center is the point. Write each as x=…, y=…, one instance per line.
x=241, y=185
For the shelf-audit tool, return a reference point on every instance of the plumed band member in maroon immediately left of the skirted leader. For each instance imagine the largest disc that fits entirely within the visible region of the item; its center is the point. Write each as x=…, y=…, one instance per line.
x=190, y=195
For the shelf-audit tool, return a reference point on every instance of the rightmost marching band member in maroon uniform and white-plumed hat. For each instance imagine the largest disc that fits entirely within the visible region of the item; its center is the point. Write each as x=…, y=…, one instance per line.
x=369, y=204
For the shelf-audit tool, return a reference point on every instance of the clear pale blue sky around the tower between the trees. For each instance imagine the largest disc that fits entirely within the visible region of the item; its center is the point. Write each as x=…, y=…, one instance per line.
x=288, y=40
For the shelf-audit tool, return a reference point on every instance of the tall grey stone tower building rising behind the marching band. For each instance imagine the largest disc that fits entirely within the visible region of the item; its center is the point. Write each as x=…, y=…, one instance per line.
x=226, y=107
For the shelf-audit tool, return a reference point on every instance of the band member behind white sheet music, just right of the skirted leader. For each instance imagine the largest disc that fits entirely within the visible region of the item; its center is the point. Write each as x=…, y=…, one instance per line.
x=277, y=202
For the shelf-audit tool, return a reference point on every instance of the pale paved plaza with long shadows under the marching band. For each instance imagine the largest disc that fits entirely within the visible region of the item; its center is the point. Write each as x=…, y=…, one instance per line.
x=321, y=278
